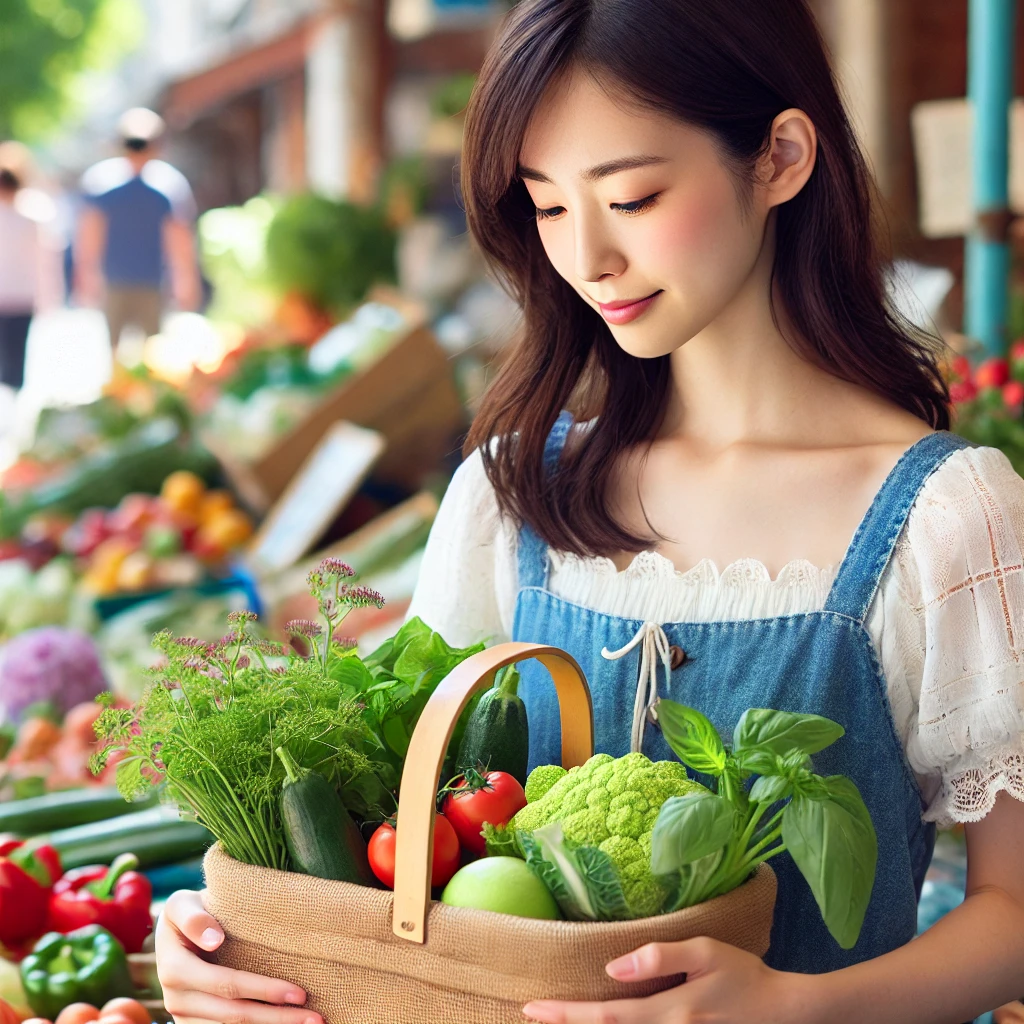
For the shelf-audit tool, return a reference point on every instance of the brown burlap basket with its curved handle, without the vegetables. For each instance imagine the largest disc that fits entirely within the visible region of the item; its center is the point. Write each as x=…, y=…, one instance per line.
x=370, y=957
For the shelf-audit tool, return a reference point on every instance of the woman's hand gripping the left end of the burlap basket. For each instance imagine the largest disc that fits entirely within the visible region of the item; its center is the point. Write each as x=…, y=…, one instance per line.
x=199, y=993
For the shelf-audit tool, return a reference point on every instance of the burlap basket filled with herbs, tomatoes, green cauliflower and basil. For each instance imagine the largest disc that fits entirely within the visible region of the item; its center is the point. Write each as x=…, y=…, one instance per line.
x=502, y=893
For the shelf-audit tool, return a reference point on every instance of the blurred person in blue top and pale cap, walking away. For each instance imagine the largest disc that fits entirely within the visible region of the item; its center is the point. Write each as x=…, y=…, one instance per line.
x=137, y=234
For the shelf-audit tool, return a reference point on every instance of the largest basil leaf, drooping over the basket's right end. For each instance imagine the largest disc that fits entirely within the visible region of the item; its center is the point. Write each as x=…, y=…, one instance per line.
x=834, y=844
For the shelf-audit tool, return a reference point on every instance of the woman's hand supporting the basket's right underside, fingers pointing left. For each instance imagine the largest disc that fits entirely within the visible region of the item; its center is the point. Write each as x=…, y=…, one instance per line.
x=723, y=985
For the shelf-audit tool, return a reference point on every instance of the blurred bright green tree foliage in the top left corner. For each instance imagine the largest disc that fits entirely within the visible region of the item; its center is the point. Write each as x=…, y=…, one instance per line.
x=45, y=48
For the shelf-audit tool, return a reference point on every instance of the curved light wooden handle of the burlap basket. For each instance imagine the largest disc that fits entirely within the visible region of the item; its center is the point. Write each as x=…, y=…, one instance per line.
x=421, y=776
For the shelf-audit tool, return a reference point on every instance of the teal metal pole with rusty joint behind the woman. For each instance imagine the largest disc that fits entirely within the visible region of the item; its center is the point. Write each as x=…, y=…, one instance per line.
x=991, y=61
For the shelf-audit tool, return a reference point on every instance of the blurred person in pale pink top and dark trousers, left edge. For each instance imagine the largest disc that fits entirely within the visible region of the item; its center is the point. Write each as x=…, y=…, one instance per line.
x=28, y=279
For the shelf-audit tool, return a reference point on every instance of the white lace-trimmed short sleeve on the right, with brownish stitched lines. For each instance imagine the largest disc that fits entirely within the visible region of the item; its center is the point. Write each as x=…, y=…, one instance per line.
x=967, y=535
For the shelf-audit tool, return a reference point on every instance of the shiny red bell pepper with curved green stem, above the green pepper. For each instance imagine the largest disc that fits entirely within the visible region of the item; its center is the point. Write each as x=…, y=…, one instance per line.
x=117, y=899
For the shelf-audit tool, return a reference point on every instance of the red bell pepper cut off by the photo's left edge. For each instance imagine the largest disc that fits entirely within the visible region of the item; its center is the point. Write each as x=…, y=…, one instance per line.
x=27, y=875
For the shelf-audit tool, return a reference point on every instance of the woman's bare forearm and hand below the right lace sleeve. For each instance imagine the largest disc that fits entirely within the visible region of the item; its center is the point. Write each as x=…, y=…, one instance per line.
x=969, y=963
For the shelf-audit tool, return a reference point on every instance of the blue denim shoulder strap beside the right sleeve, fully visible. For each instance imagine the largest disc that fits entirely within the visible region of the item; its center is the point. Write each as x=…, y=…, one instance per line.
x=875, y=541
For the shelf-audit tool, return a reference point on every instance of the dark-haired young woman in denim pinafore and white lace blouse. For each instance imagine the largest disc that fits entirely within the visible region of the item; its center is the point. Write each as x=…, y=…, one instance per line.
x=672, y=191
